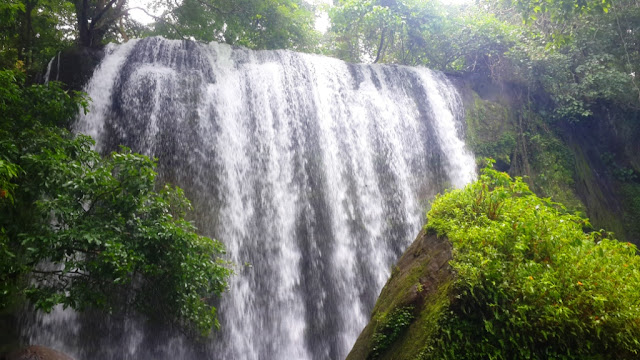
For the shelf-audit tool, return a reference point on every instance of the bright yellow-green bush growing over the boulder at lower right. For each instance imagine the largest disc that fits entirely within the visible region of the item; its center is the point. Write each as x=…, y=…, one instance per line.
x=530, y=283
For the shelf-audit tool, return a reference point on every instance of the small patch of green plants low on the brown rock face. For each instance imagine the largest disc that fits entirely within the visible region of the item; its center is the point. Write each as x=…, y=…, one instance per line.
x=390, y=328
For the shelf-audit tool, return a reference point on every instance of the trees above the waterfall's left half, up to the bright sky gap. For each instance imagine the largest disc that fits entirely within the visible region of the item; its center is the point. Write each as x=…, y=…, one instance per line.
x=32, y=31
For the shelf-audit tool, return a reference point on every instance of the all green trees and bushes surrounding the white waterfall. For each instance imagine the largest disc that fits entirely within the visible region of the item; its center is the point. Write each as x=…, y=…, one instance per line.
x=556, y=100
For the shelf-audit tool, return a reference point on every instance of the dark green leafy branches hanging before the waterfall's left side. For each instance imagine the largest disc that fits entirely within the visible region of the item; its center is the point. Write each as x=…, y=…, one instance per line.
x=88, y=232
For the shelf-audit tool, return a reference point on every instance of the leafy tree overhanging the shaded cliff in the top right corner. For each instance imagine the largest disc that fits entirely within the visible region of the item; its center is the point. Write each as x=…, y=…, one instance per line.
x=582, y=54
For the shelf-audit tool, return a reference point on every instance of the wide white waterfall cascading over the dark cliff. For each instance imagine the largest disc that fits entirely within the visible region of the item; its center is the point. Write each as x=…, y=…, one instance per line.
x=315, y=173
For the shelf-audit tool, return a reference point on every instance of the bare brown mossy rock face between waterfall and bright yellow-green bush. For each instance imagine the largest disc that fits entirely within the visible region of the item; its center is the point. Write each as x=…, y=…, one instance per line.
x=406, y=311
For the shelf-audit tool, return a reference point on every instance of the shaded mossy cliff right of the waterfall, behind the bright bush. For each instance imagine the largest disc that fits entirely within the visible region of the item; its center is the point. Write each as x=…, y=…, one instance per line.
x=591, y=166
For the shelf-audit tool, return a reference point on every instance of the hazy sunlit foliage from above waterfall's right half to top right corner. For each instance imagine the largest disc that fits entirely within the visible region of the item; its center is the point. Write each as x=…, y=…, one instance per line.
x=581, y=54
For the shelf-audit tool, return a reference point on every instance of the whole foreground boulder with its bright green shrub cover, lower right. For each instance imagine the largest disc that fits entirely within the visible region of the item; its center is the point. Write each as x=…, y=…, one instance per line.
x=525, y=281
